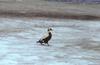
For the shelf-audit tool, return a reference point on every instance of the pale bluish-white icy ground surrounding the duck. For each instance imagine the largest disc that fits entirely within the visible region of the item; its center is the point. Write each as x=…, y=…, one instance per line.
x=74, y=42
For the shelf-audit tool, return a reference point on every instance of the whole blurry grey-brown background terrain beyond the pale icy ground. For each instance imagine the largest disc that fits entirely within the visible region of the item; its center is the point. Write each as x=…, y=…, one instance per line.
x=43, y=8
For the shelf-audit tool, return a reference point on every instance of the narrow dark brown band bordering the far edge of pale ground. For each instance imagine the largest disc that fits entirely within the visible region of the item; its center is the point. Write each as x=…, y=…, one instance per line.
x=59, y=15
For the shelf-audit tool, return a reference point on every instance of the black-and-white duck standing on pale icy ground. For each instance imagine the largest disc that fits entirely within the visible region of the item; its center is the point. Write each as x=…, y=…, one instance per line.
x=46, y=38
